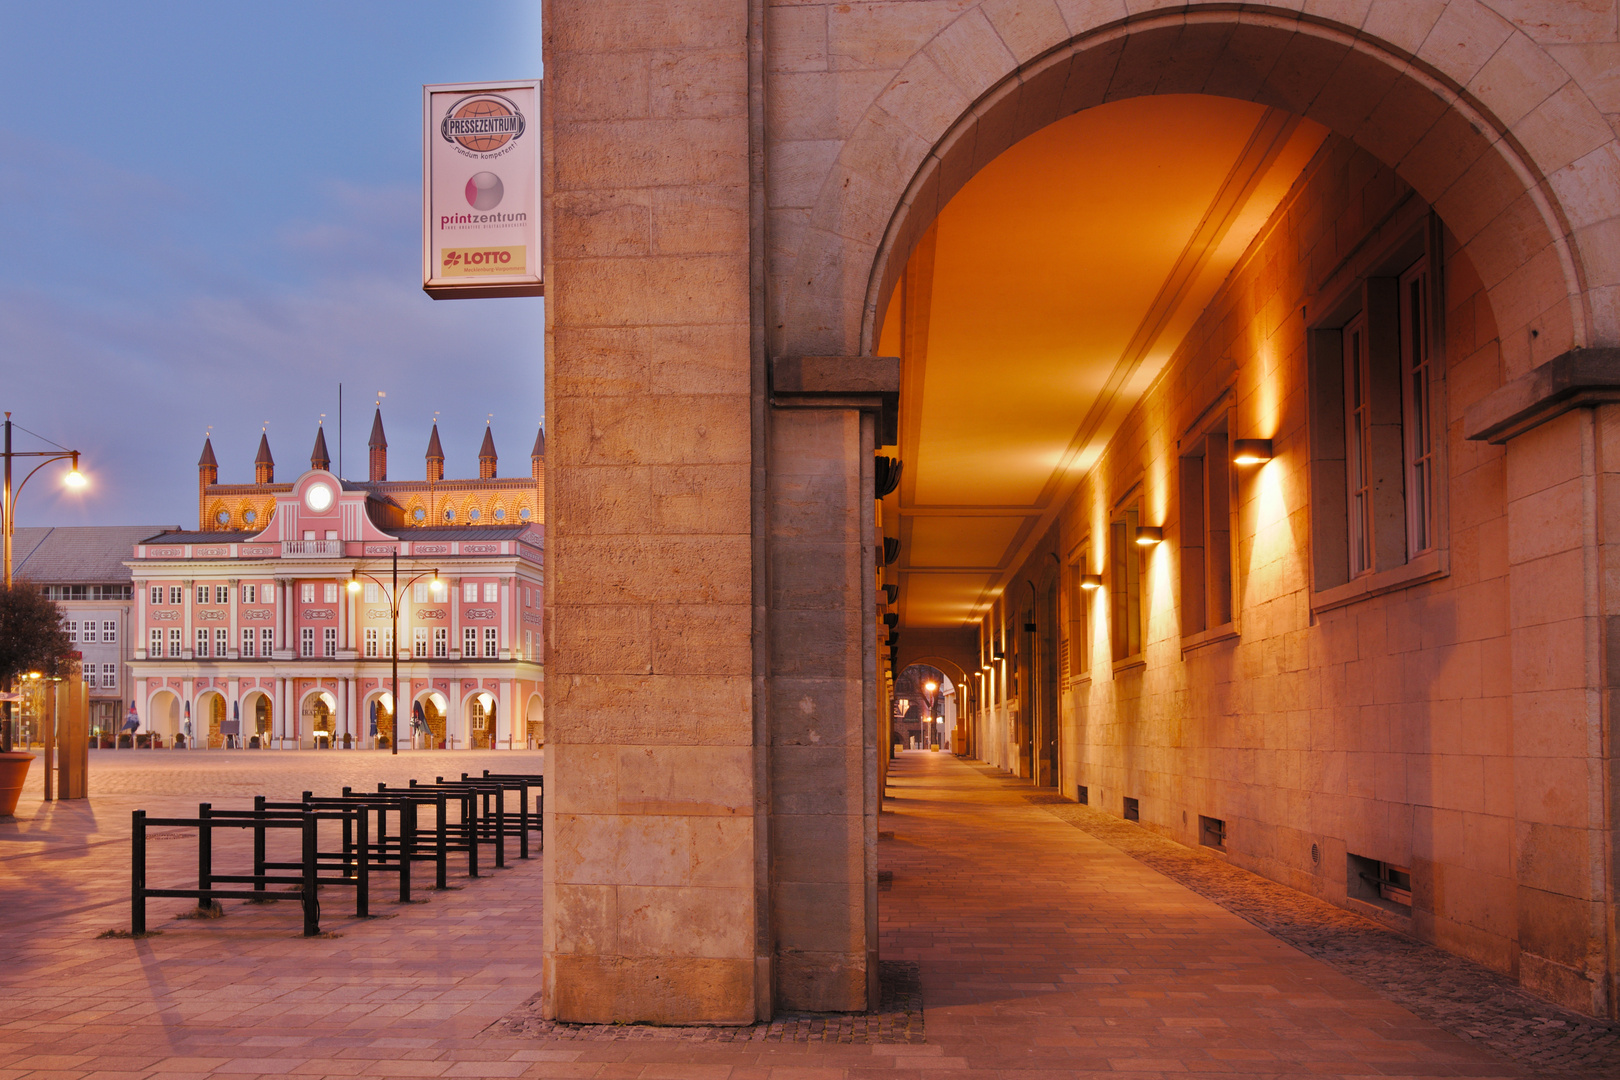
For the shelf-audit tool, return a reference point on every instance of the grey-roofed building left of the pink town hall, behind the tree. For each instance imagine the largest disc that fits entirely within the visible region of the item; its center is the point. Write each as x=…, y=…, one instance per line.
x=83, y=569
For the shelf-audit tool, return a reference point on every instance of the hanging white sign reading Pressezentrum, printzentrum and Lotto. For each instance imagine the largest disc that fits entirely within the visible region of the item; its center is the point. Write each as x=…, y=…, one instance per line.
x=480, y=190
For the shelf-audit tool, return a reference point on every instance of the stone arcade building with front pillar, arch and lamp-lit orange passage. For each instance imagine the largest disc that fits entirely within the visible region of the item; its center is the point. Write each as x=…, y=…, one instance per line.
x=1222, y=396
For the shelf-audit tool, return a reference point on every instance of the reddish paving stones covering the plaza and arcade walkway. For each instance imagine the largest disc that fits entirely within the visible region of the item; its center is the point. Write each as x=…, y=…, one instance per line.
x=1041, y=937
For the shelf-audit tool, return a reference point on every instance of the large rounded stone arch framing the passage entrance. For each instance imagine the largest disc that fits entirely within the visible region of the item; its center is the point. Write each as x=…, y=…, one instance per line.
x=1516, y=193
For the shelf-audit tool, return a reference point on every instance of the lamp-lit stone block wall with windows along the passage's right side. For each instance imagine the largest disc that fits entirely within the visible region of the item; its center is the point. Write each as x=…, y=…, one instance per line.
x=1449, y=726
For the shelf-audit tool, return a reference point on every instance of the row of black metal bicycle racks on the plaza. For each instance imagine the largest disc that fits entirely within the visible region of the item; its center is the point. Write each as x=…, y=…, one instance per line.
x=349, y=838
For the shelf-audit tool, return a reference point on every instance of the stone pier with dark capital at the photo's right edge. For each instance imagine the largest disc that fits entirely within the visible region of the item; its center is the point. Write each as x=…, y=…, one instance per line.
x=1561, y=427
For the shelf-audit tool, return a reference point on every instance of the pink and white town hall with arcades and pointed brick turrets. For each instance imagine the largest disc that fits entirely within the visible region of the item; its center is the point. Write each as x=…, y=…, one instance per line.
x=249, y=629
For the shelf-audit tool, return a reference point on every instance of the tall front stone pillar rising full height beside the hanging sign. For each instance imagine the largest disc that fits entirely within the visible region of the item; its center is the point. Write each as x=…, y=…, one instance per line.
x=654, y=861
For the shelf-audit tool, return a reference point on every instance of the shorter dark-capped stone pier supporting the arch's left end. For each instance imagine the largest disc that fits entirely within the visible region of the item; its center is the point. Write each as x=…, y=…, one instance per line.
x=829, y=417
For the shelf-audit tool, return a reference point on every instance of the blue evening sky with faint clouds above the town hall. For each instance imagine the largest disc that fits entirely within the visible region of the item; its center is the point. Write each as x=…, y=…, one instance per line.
x=211, y=215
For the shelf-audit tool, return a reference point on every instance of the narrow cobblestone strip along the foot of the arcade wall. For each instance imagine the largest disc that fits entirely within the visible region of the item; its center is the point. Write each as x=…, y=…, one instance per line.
x=1457, y=995
